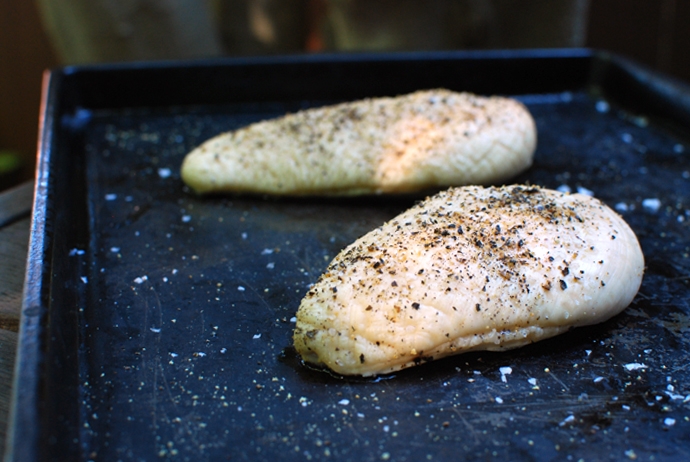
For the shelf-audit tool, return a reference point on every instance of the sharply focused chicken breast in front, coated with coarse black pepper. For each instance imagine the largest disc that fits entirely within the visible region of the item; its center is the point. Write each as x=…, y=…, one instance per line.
x=470, y=268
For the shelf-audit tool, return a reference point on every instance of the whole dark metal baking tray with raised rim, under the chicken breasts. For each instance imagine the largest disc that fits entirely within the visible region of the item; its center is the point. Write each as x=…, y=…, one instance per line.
x=157, y=324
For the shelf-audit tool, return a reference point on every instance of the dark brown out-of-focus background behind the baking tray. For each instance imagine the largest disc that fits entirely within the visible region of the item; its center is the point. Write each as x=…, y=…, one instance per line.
x=41, y=34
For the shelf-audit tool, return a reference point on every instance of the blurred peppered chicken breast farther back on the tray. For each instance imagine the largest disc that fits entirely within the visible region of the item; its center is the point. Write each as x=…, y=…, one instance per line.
x=381, y=145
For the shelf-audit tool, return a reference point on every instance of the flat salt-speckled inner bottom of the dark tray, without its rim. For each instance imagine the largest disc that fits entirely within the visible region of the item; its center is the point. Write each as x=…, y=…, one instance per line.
x=182, y=337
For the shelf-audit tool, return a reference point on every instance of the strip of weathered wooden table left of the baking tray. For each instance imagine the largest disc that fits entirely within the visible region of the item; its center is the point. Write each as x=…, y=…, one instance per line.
x=15, y=220
